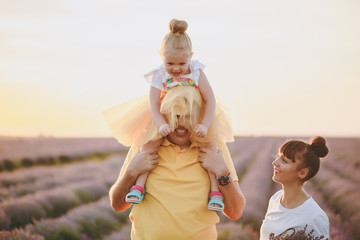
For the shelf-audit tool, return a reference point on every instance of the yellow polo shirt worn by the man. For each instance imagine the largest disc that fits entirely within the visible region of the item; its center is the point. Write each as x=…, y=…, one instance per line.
x=176, y=198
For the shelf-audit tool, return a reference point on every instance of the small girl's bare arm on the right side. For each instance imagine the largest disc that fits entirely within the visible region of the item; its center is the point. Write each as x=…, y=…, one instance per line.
x=208, y=100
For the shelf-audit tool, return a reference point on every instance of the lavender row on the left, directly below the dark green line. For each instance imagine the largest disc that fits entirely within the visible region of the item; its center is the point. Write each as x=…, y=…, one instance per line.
x=14, y=185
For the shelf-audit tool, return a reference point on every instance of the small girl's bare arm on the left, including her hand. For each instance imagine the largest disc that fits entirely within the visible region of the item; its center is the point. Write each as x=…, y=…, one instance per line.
x=164, y=128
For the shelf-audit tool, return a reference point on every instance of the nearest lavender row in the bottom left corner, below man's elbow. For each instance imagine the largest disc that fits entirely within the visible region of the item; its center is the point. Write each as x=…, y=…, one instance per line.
x=88, y=221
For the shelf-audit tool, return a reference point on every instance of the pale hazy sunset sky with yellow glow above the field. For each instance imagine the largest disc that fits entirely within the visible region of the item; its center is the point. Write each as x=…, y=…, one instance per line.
x=281, y=67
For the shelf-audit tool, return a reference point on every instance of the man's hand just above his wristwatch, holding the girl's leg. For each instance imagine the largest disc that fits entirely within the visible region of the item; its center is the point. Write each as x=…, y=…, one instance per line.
x=211, y=159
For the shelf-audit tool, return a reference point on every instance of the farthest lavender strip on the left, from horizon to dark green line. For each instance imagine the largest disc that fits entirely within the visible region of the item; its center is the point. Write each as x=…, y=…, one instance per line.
x=25, y=152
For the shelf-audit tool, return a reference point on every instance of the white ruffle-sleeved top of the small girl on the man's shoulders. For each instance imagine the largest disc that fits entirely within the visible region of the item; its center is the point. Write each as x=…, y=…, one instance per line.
x=158, y=76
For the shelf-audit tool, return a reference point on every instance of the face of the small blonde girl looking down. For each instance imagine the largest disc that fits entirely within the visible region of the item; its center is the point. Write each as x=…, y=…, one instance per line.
x=176, y=61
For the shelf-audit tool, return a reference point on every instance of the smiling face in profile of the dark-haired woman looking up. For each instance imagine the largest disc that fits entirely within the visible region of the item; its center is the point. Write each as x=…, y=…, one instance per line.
x=285, y=170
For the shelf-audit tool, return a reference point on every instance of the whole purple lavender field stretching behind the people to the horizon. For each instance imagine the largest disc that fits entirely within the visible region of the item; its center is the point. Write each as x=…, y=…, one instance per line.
x=58, y=188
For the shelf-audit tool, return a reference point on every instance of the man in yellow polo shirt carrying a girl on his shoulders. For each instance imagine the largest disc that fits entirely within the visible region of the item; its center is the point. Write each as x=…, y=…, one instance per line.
x=175, y=205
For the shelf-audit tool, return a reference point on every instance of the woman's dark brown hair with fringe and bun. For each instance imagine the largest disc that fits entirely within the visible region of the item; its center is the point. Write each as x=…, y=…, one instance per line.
x=308, y=154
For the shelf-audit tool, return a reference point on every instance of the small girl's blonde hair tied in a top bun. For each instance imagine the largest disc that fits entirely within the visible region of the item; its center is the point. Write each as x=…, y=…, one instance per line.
x=177, y=37
